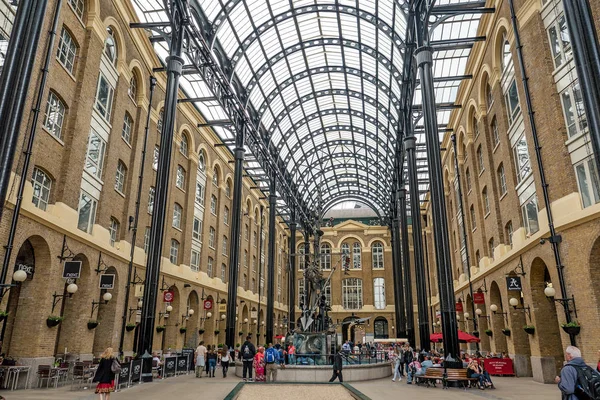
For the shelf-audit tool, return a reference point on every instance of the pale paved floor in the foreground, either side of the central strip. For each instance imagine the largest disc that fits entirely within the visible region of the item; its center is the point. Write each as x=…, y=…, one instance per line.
x=188, y=388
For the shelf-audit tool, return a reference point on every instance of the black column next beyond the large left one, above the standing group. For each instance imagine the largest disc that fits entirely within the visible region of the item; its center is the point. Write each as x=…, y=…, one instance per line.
x=234, y=249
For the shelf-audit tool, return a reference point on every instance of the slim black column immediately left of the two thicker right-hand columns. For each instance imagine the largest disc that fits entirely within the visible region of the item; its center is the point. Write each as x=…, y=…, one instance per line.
x=405, y=251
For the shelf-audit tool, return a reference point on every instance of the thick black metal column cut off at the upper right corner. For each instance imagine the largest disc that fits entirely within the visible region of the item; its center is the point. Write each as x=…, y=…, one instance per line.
x=586, y=54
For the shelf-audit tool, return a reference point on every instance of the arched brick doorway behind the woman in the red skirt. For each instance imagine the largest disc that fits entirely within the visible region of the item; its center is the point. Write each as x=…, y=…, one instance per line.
x=106, y=334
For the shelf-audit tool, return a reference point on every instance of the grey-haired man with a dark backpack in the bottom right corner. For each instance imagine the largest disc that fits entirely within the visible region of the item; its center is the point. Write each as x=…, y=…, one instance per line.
x=577, y=380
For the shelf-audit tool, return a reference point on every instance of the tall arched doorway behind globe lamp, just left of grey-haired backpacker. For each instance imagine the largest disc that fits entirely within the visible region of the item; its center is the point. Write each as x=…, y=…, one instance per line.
x=547, y=349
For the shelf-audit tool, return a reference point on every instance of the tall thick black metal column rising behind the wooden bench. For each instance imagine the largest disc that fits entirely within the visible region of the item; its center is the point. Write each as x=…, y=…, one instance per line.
x=424, y=59
